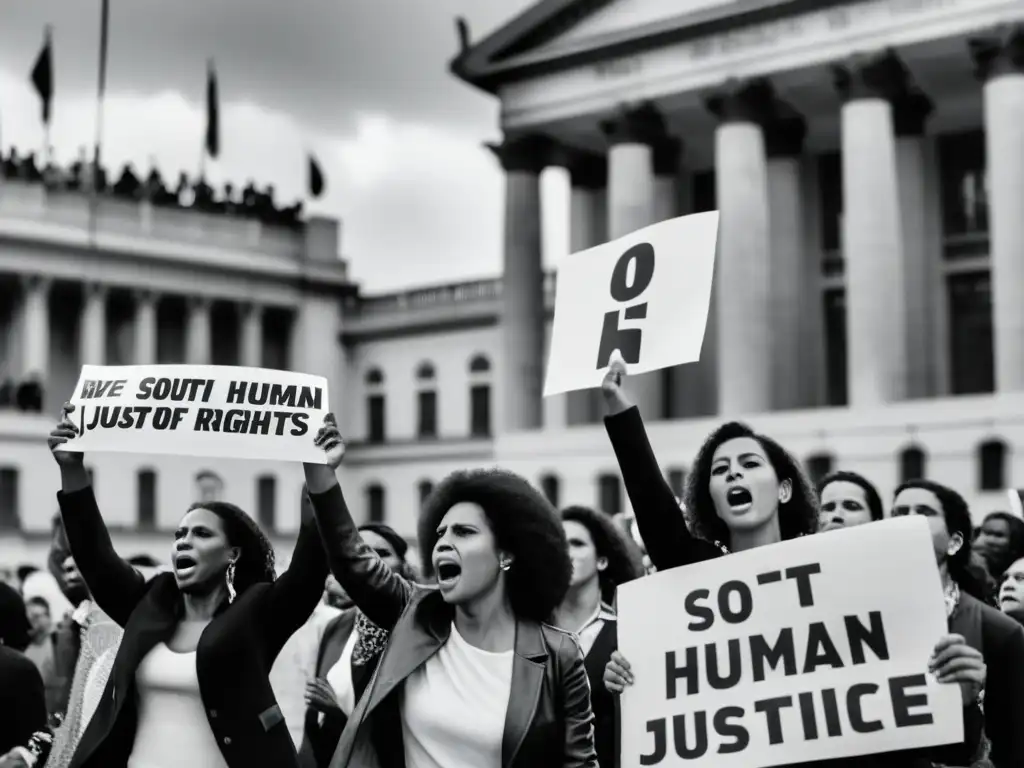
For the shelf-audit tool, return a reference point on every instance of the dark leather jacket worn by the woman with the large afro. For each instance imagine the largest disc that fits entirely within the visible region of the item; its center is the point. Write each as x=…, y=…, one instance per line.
x=549, y=721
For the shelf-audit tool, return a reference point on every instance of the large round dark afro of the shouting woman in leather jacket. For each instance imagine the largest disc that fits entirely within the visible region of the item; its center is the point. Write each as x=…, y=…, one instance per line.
x=524, y=524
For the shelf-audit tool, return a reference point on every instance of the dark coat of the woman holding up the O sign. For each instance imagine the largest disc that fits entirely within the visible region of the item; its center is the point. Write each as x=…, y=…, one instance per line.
x=671, y=545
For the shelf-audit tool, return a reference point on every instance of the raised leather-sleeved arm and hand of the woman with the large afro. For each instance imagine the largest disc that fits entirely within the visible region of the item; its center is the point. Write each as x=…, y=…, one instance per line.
x=376, y=590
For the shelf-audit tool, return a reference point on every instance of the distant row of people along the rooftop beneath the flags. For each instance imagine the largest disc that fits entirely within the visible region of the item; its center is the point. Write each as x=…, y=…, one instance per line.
x=195, y=195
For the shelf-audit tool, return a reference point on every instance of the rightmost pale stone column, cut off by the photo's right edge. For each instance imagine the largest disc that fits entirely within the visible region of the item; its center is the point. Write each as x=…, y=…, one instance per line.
x=1000, y=59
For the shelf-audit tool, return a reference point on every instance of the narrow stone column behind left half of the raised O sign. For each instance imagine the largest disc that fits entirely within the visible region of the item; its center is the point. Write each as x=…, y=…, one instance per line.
x=588, y=228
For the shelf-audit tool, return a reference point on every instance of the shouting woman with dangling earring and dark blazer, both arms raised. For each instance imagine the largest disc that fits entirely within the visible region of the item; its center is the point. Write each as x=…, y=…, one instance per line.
x=190, y=685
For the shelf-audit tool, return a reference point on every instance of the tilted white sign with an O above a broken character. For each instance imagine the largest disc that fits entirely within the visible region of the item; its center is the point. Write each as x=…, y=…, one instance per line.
x=647, y=294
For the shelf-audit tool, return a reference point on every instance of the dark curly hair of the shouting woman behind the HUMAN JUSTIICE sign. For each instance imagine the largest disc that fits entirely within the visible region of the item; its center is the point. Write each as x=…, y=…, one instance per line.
x=797, y=518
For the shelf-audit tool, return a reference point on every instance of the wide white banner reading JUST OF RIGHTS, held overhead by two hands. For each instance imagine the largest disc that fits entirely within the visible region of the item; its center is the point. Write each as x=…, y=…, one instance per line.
x=216, y=411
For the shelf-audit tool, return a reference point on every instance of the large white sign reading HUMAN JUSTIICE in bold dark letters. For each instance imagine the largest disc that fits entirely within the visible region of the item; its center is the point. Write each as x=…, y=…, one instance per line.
x=810, y=650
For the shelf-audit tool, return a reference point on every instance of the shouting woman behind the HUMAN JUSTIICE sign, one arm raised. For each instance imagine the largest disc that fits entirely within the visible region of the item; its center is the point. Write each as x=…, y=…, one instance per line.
x=746, y=492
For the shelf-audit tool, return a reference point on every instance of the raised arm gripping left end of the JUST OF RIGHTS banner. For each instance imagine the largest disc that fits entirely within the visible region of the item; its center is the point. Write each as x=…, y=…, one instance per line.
x=115, y=585
